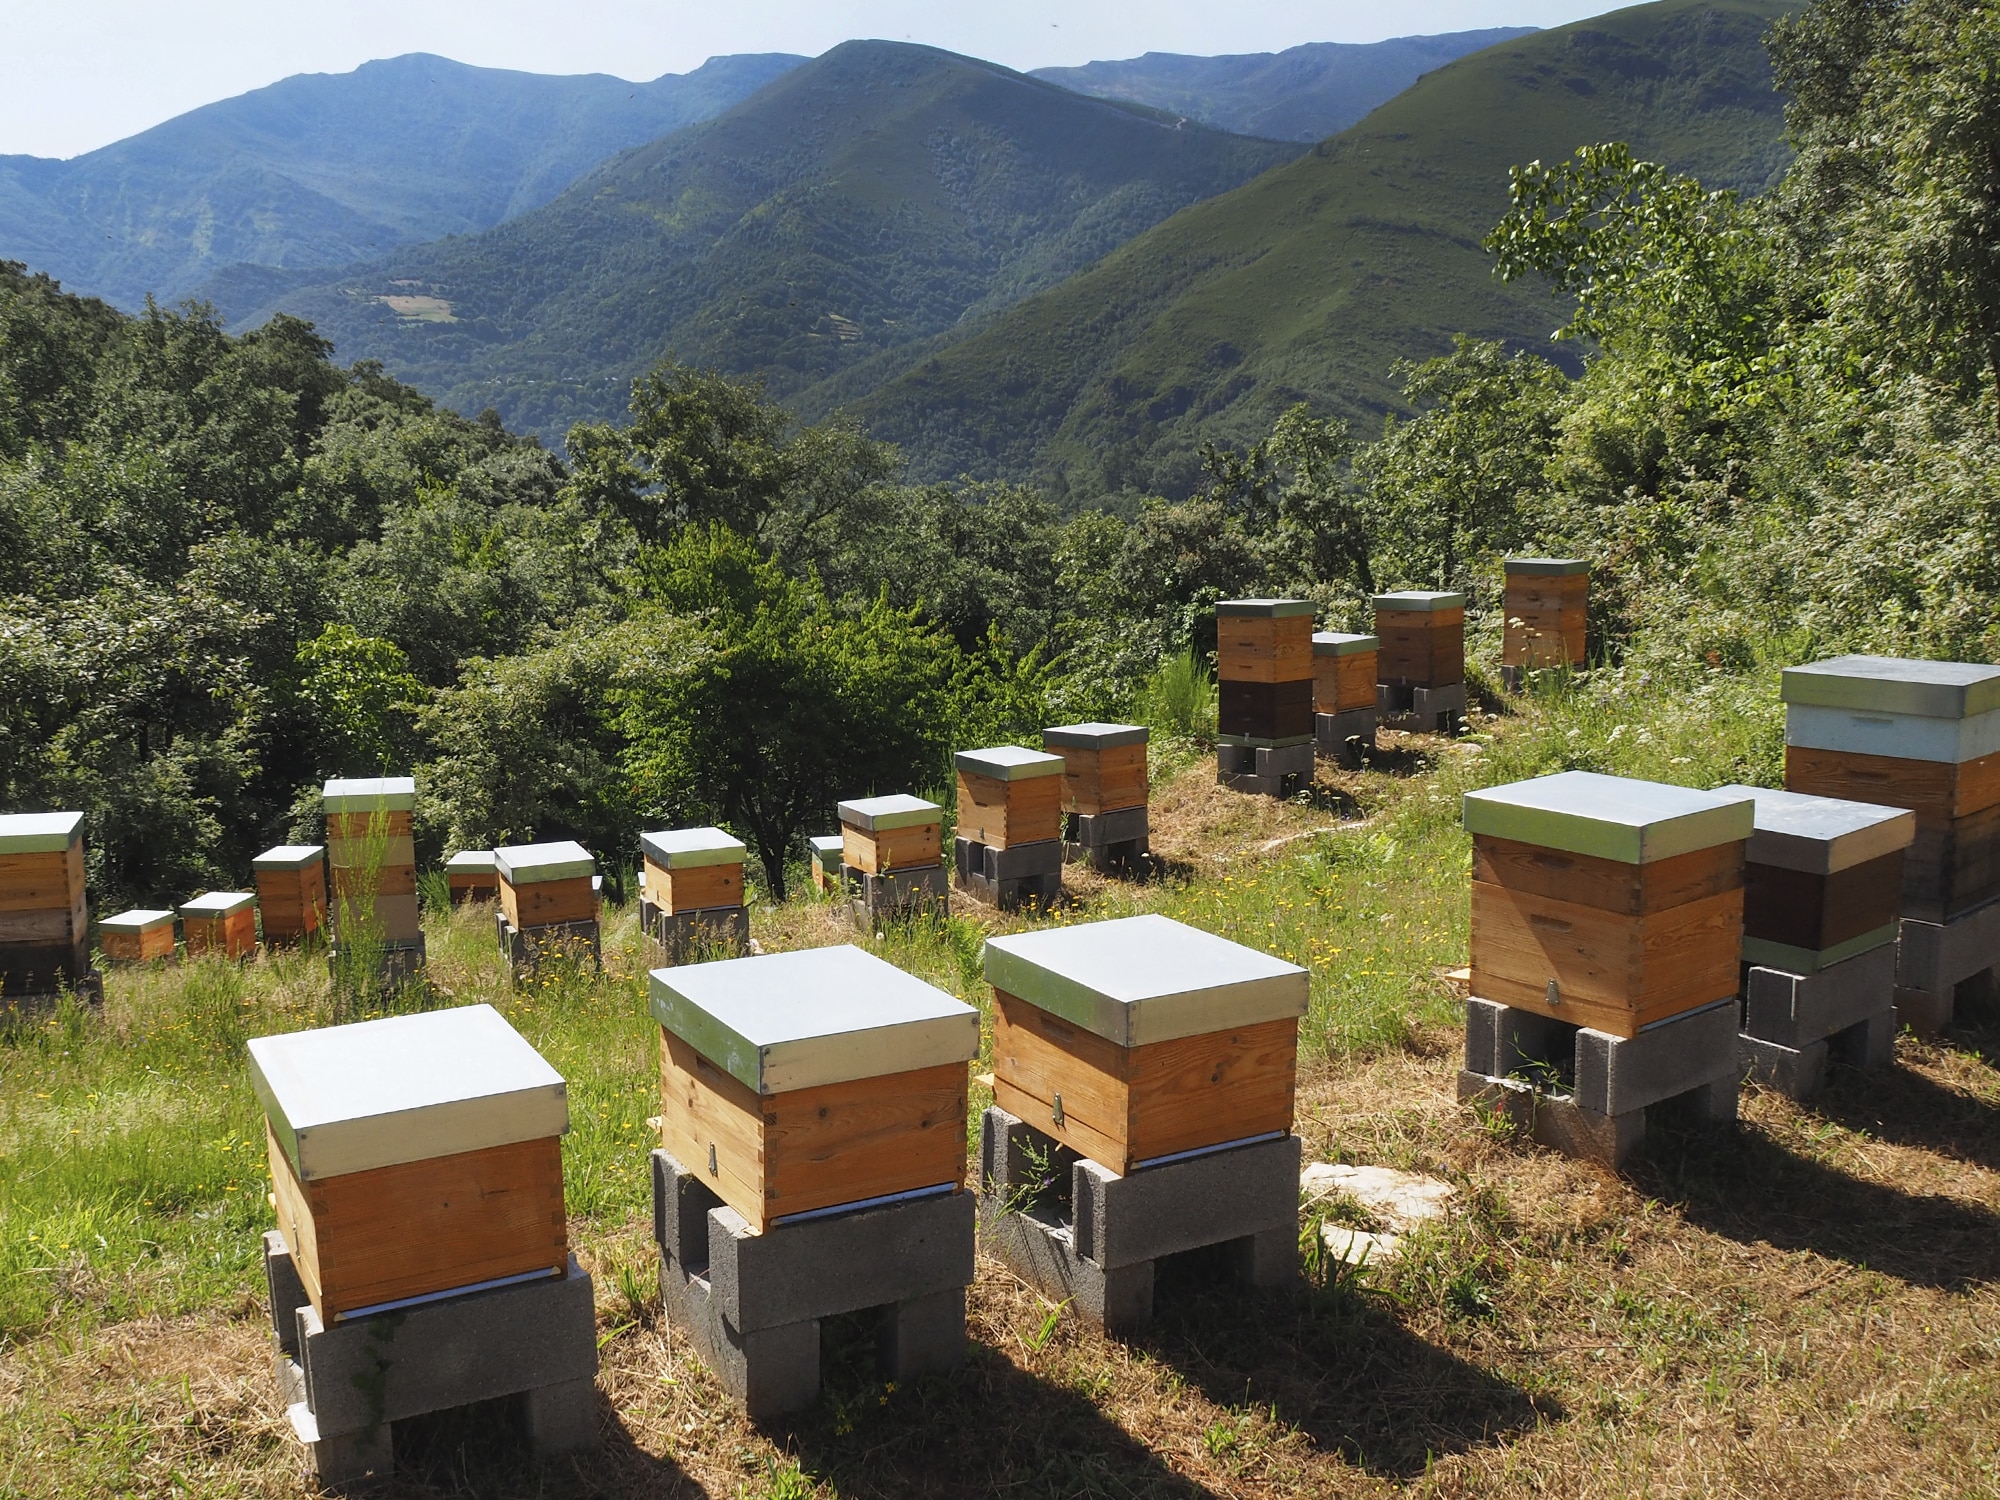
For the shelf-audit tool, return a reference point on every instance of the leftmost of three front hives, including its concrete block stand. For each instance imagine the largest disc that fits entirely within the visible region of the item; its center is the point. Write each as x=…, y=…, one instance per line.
x=421, y=1259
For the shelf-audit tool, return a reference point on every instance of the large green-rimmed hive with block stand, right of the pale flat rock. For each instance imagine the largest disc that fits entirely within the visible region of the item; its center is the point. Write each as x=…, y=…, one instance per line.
x=1607, y=935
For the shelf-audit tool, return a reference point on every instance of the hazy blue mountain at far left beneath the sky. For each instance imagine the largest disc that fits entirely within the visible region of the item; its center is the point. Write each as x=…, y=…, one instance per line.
x=327, y=169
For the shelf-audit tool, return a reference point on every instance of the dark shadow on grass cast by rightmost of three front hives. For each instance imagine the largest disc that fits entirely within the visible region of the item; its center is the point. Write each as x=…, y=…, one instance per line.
x=1333, y=1365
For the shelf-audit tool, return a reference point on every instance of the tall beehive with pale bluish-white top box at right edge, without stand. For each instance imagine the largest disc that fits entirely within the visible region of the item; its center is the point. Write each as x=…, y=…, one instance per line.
x=1909, y=735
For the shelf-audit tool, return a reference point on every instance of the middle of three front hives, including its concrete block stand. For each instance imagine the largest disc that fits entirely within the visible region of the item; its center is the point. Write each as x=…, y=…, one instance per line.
x=813, y=1113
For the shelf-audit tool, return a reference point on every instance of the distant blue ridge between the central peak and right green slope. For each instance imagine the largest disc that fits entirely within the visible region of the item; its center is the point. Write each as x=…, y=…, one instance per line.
x=1305, y=93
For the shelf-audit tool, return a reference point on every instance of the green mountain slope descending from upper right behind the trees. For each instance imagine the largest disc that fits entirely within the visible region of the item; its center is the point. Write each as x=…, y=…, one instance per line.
x=1309, y=283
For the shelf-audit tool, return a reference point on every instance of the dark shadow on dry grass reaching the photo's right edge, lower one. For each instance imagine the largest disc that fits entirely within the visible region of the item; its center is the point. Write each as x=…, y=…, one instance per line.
x=1751, y=1189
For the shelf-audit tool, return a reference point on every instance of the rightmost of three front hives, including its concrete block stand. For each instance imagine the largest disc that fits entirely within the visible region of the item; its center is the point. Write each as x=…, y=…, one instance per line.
x=1157, y=1067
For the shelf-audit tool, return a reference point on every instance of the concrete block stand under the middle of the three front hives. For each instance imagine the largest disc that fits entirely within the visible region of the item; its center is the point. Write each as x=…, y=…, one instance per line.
x=753, y=1303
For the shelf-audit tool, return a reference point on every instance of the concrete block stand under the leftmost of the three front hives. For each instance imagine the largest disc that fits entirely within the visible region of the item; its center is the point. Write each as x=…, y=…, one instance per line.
x=349, y=1385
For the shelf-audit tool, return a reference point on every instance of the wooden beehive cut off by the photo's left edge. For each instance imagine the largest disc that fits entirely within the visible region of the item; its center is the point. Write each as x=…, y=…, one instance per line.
x=45, y=925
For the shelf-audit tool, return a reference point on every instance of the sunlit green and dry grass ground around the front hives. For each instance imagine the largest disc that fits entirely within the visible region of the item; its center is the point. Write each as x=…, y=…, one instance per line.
x=1803, y=1307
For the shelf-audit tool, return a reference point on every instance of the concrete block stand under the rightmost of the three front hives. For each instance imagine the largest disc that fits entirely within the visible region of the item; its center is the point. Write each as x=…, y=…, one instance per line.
x=1101, y=1249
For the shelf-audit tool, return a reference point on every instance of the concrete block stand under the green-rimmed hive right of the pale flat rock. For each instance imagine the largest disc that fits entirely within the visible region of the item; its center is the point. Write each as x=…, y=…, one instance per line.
x=1589, y=1093
